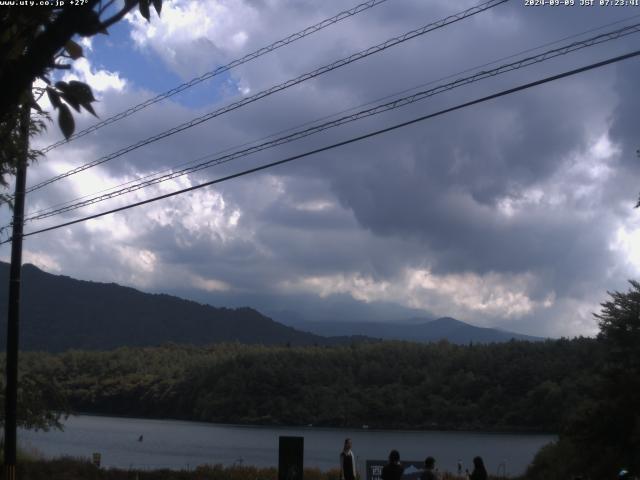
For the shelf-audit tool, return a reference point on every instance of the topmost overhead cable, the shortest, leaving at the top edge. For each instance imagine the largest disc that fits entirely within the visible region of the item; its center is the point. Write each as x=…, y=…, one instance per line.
x=222, y=69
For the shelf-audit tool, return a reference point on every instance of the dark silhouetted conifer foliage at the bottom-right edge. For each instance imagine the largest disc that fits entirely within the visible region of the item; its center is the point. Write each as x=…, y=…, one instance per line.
x=602, y=434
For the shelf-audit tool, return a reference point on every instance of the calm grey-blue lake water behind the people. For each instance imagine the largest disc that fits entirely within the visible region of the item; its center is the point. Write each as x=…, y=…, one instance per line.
x=184, y=445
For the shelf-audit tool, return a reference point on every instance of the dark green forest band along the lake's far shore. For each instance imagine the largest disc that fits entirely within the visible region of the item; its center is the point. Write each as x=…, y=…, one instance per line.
x=510, y=386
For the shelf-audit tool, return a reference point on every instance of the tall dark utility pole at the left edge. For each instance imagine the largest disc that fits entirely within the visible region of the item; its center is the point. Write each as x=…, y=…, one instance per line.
x=13, y=317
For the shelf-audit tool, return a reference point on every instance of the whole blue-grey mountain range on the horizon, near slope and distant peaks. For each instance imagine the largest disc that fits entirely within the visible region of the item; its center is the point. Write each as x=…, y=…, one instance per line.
x=59, y=313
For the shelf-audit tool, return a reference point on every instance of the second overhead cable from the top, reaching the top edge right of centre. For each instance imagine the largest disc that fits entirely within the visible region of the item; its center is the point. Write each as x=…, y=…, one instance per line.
x=282, y=86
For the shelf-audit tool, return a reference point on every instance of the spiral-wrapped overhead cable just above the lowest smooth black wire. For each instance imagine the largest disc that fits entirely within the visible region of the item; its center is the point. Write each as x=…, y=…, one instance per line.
x=400, y=102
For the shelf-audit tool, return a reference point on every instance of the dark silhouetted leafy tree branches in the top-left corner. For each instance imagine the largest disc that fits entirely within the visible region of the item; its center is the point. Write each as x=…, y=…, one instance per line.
x=37, y=41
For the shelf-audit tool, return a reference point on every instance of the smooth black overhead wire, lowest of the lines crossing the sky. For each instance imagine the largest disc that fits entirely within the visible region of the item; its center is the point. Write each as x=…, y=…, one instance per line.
x=502, y=93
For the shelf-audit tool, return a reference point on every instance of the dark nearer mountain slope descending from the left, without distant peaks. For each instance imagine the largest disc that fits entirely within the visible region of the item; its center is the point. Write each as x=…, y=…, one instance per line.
x=60, y=312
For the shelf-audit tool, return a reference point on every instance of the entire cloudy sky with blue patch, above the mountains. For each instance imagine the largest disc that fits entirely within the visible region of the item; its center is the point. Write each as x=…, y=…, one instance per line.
x=517, y=213
